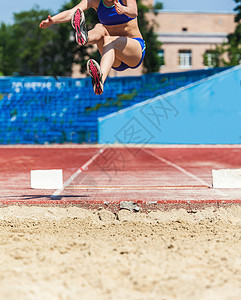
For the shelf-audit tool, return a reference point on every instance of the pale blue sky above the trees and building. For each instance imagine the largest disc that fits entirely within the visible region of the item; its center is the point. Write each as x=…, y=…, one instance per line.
x=7, y=8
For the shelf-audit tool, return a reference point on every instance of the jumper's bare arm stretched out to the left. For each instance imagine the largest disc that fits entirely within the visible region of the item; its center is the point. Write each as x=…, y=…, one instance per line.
x=65, y=16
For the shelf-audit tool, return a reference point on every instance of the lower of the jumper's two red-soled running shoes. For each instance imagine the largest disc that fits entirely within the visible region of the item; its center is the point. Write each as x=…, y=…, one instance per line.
x=94, y=71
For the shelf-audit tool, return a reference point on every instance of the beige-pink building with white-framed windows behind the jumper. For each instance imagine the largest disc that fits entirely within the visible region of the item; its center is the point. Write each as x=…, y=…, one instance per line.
x=185, y=37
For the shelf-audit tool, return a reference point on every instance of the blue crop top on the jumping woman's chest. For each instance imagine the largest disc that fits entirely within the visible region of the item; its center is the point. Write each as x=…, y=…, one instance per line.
x=109, y=16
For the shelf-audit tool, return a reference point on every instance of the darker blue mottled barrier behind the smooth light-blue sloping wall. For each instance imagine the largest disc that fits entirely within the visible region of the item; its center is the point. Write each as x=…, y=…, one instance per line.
x=37, y=110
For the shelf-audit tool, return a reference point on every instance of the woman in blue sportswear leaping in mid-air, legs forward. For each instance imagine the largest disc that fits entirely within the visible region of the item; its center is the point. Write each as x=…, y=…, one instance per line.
x=117, y=36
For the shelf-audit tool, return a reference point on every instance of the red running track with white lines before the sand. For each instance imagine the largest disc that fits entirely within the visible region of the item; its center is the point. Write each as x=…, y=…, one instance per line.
x=161, y=177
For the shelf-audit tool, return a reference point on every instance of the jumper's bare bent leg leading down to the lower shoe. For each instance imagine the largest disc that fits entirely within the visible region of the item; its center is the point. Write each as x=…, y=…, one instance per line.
x=117, y=49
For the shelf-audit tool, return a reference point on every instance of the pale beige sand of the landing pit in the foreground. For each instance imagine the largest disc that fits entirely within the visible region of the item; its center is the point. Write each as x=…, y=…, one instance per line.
x=71, y=253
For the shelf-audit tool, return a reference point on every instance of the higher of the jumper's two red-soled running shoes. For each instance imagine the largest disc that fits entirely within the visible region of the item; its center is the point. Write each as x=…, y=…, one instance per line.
x=78, y=23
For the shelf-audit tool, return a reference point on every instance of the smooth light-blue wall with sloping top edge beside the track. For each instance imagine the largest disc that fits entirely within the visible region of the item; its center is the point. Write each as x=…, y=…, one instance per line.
x=206, y=112
